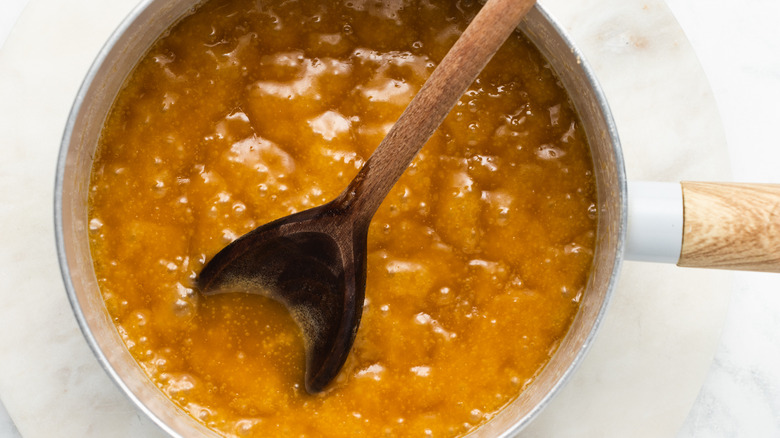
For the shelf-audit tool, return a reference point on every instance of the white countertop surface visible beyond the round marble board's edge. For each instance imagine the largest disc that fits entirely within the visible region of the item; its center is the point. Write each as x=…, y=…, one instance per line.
x=738, y=48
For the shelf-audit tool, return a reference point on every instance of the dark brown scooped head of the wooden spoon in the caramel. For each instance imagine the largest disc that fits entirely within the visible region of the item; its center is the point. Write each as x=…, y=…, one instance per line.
x=313, y=262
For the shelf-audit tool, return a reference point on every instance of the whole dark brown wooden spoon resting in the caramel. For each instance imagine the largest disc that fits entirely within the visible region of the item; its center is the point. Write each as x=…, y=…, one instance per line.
x=314, y=261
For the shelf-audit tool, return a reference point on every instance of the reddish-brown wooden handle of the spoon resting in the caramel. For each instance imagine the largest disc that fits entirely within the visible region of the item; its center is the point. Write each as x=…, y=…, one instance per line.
x=460, y=67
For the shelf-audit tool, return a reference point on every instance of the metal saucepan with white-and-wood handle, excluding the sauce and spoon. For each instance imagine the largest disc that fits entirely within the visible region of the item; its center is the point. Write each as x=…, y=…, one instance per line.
x=731, y=226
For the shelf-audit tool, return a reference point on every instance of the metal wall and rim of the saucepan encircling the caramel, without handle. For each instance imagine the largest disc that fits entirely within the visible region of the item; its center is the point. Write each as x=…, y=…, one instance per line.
x=115, y=62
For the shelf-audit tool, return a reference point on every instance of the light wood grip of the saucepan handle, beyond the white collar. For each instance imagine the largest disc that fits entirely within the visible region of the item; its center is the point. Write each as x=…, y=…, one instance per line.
x=731, y=226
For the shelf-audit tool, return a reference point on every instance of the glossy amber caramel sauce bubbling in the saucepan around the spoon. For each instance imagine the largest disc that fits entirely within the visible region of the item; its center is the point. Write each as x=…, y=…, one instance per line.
x=246, y=111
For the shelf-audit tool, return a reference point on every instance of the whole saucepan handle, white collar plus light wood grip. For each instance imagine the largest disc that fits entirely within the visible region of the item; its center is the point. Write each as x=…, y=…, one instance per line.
x=705, y=225
